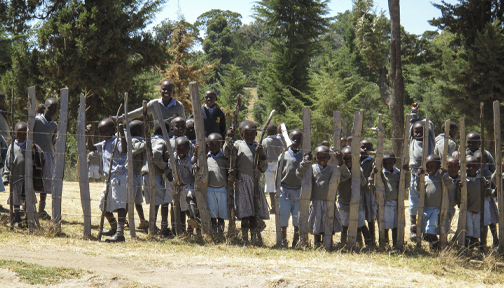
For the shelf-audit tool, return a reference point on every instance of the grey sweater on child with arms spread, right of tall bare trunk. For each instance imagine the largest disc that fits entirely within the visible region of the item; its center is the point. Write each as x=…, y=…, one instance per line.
x=434, y=188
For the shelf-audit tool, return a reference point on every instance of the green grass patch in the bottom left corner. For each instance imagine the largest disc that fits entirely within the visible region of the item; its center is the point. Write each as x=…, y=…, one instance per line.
x=36, y=274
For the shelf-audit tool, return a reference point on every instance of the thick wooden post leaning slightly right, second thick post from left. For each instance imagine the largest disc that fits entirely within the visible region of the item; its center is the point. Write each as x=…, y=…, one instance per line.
x=59, y=160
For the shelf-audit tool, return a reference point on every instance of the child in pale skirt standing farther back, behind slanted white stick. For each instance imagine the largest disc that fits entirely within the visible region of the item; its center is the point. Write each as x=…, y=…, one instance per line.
x=272, y=147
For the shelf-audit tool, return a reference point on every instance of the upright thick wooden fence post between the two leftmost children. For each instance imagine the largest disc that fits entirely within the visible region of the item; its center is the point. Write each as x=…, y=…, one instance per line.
x=31, y=199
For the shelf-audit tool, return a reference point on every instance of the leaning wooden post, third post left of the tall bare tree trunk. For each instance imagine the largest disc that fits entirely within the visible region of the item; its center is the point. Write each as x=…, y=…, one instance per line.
x=333, y=184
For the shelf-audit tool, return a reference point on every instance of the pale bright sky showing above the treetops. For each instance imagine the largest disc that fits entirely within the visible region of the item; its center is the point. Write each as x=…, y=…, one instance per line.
x=414, y=13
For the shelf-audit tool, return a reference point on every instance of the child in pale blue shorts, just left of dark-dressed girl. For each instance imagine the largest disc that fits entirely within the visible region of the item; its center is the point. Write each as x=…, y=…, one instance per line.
x=218, y=167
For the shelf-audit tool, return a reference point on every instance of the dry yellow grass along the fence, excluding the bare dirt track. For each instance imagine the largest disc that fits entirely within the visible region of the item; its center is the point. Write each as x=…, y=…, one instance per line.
x=272, y=267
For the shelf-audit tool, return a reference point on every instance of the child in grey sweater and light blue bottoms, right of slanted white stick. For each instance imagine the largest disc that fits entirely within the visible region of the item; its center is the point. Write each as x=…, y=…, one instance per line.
x=290, y=189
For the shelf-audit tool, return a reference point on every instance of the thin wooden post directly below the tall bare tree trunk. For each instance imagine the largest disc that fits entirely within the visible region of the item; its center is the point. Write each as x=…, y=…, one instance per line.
x=401, y=221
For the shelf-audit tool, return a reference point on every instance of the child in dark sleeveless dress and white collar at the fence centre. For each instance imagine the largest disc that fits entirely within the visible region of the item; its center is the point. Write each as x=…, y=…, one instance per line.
x=244, y=190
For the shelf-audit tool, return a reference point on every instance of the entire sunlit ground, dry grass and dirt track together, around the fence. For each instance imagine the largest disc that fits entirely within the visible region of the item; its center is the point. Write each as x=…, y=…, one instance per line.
x=69, y=260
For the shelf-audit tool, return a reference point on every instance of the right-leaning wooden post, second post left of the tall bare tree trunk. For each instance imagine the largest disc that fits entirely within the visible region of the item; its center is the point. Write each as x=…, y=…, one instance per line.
x=356, y=179
